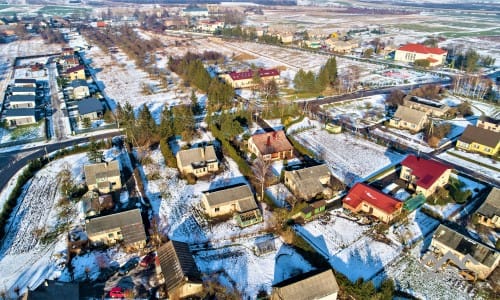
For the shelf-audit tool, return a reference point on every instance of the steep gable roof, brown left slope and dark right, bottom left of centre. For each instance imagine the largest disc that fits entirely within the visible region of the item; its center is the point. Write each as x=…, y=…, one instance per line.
x=177, y=263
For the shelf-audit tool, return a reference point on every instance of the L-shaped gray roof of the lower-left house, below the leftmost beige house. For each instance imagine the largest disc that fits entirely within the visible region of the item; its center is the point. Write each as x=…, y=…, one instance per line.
x=129, y=222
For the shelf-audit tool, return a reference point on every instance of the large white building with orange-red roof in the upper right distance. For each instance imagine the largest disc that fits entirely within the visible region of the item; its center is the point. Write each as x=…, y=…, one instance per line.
x=411, y=52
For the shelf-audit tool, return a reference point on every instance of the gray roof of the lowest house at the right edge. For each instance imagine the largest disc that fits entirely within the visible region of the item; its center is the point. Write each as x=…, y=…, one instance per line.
x=465, y=245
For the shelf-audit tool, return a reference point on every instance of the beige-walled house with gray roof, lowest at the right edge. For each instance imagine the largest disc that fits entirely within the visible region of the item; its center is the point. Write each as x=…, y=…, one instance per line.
x=464, y=252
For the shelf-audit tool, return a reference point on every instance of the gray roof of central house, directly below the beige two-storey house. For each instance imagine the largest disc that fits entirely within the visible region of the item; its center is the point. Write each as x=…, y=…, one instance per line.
x=240, y=193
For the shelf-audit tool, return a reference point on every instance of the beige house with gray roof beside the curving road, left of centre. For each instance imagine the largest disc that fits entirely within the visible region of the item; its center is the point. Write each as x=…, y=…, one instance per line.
x=104, y=177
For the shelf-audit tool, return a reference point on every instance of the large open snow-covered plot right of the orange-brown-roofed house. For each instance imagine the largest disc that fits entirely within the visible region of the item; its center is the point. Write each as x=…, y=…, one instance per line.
x=350, y=158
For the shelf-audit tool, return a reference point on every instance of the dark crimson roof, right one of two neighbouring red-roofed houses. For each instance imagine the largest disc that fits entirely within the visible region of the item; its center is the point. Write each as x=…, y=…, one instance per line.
x=427, y=171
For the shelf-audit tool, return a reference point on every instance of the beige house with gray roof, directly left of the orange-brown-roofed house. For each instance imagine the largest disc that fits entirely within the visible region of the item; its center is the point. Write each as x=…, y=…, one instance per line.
x=197, y=161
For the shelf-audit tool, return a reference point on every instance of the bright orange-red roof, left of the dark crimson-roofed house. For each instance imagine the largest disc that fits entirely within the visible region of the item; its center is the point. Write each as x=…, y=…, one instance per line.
x=361, y=192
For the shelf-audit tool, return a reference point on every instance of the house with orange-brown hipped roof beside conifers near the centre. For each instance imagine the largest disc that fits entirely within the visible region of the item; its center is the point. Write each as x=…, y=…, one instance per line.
x=271, y=145
